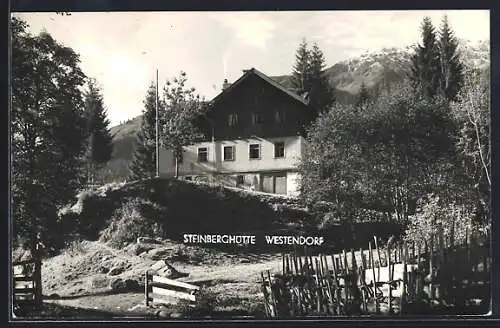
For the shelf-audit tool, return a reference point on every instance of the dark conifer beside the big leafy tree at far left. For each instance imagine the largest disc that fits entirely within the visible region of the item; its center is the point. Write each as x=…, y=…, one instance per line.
x=100, y=141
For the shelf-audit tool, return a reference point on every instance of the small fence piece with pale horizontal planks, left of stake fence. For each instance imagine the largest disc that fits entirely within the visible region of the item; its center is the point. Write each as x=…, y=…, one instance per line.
x=161, y=290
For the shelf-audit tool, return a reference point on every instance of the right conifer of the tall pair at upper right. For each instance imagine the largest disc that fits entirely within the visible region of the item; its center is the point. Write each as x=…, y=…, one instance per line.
x=451, y=75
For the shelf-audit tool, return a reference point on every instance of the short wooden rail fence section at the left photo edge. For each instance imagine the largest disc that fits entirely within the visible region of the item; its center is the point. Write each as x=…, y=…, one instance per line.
x=27, y=283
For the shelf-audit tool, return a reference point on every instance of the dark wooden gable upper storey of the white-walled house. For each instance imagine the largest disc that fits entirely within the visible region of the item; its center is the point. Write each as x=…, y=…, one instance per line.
x=261, y=106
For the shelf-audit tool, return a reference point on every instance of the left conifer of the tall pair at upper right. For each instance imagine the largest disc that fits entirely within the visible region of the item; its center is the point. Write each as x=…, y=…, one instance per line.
x=425, y=70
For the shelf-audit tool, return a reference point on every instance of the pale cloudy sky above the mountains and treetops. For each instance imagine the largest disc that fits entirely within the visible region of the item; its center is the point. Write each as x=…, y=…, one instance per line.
x=122, y=50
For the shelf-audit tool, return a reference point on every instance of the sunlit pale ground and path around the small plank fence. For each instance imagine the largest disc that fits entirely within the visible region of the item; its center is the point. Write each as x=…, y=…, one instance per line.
x=74, y=277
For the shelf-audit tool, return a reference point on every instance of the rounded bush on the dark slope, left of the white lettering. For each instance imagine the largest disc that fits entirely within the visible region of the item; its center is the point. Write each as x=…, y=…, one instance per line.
x=135, y=218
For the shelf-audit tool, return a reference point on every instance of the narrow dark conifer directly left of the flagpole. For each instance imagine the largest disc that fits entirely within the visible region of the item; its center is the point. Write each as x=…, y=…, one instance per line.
x=144, y=163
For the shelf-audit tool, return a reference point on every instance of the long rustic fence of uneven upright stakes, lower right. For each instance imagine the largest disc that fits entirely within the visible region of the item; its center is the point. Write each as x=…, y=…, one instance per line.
x=435, y=276
